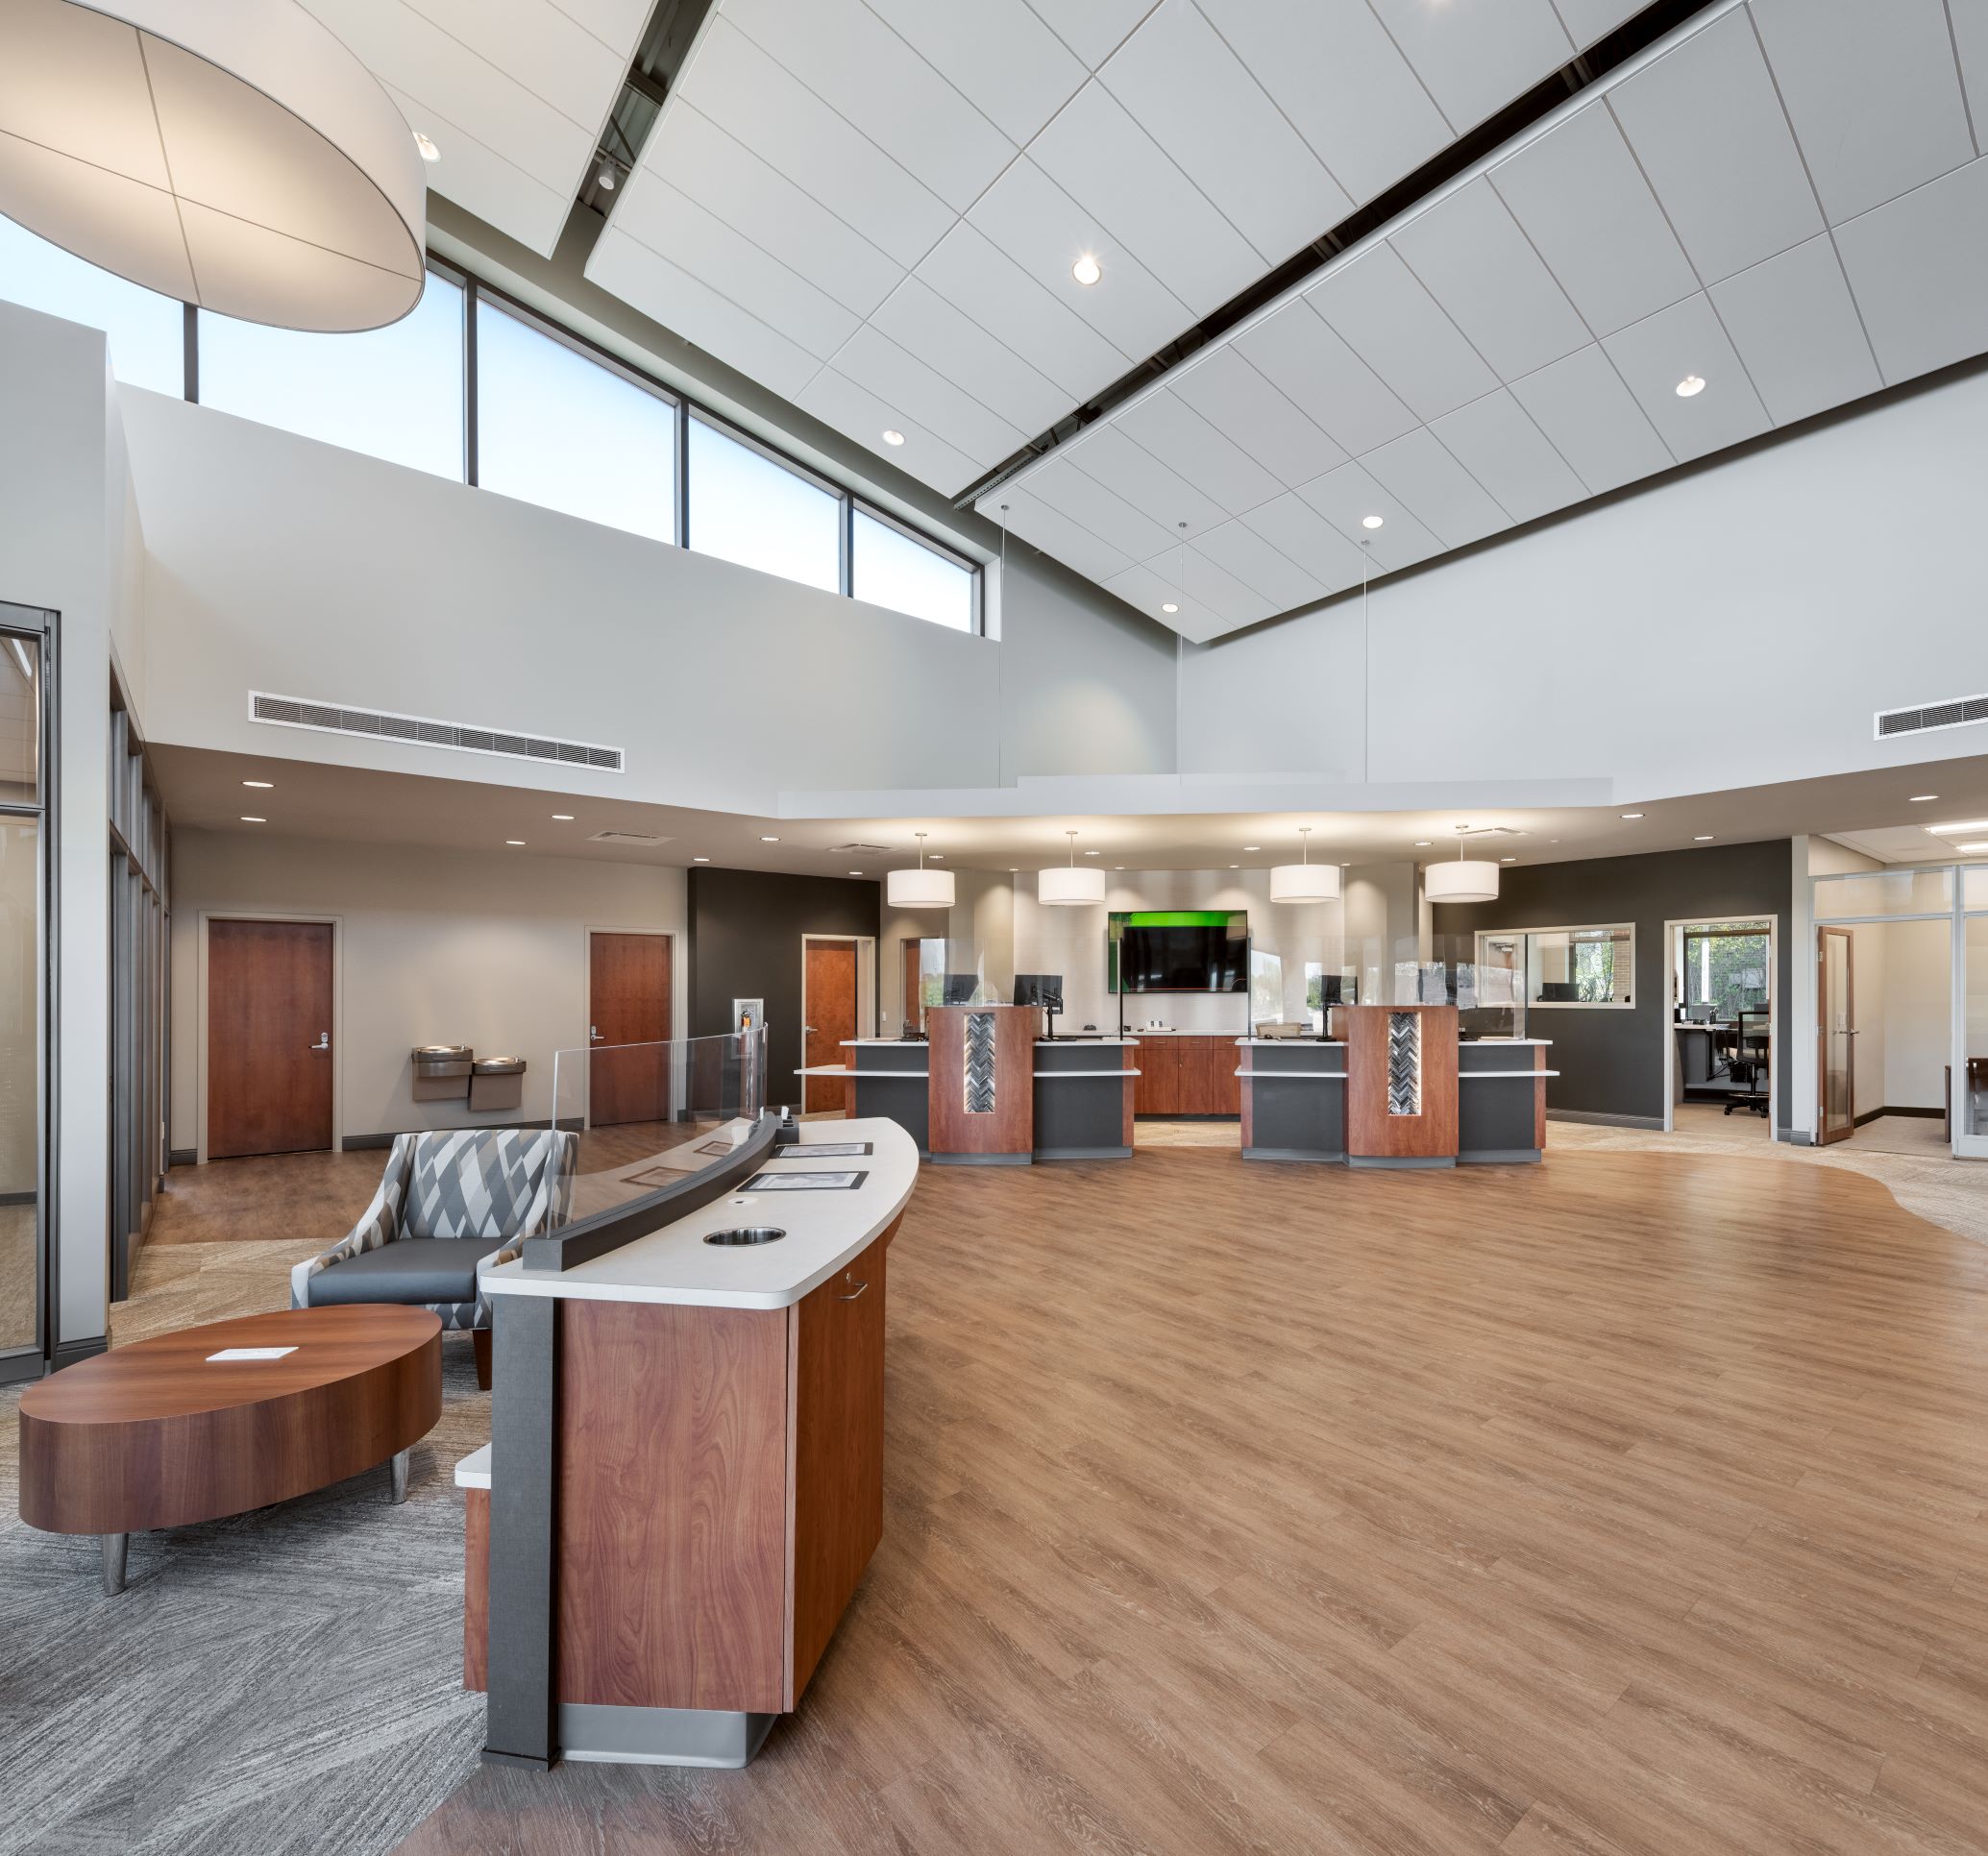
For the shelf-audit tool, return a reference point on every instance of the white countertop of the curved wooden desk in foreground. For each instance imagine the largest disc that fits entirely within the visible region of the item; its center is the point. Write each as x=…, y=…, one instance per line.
x=824, y=1233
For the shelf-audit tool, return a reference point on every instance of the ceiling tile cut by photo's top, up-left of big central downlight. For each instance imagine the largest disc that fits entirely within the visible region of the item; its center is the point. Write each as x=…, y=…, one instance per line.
x=886, y=90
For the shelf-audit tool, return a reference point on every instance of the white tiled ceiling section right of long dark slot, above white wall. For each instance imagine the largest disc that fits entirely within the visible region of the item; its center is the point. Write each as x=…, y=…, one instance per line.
x=1786, y=198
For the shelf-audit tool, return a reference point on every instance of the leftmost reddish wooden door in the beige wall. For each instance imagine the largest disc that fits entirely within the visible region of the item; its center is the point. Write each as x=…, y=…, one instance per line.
x=269, y=1038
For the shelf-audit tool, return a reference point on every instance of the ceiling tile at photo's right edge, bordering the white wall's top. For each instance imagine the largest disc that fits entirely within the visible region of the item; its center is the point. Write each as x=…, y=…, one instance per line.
x=1919, y=271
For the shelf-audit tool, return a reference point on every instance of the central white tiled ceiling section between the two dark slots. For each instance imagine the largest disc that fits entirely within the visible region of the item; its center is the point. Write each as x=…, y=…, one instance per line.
x=874, y=206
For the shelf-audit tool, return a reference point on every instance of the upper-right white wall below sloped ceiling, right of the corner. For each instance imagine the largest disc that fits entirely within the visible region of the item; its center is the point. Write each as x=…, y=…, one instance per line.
x=1828, y=575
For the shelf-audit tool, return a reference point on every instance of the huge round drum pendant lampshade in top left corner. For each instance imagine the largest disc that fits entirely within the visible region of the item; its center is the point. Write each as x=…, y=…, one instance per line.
x=232, y=154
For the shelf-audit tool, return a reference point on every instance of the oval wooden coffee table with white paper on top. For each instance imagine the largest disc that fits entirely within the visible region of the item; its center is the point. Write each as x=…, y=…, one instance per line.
x=162, y=1434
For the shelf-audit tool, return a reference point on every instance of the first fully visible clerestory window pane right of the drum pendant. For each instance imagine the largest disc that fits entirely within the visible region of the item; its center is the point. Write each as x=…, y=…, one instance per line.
x=568, y=432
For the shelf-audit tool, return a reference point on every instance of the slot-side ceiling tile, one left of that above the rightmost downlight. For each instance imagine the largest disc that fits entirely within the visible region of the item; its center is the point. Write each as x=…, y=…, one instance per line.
x=1472, y=257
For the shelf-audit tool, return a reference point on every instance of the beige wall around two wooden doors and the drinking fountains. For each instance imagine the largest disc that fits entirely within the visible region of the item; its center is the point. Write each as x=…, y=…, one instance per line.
x=436, y=947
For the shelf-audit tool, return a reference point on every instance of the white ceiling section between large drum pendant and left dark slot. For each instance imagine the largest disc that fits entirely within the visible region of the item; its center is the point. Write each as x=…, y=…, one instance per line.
x=516, y=94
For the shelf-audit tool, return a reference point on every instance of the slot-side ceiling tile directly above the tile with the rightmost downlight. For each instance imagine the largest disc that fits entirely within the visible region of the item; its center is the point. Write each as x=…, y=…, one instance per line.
x=1589, y=214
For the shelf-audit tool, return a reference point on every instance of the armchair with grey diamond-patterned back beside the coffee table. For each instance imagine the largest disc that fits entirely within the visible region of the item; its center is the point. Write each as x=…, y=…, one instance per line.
x=448, y=1209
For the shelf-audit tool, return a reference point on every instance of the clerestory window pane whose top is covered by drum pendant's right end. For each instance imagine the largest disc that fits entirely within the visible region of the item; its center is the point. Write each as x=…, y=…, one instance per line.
x=393, y=392
